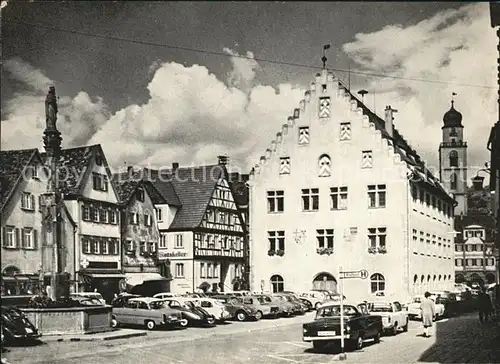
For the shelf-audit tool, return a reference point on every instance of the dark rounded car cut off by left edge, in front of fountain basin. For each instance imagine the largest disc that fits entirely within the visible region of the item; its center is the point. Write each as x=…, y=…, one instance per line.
x=16, y=326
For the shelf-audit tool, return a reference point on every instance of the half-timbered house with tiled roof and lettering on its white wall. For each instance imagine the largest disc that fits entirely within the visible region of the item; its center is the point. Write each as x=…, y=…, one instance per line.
x=202, y=232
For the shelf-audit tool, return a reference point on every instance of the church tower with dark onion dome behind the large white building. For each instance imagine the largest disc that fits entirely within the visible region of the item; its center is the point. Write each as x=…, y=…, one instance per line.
x=453, y=158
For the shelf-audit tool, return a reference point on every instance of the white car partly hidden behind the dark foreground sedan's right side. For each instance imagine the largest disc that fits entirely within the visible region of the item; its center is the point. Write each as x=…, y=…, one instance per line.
x=394, y=318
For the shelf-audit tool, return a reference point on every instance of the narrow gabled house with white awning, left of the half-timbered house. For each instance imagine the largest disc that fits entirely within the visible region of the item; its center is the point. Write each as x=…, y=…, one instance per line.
x=140, y=237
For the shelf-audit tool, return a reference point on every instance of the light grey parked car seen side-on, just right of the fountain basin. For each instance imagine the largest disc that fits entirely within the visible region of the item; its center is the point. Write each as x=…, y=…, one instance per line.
x=147, y=311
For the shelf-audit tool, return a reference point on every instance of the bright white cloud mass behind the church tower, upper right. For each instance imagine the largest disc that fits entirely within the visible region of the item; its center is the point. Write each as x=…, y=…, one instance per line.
x=454, y=45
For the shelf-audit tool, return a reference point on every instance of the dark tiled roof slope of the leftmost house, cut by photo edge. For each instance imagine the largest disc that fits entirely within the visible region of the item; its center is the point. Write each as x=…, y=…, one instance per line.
x=12, y=165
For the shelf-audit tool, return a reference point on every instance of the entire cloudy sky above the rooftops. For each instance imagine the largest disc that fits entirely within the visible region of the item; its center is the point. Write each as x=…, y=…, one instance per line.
x=177, y=90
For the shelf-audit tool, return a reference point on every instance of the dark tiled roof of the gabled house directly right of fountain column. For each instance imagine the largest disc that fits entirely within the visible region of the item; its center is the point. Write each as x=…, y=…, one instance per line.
x=74, y=166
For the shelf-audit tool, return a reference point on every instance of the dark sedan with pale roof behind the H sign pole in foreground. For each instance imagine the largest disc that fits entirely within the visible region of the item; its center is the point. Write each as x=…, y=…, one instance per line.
x=359, y=326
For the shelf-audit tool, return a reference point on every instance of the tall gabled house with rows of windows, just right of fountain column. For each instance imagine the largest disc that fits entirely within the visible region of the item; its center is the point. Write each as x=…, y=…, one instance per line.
x=91, y=197
